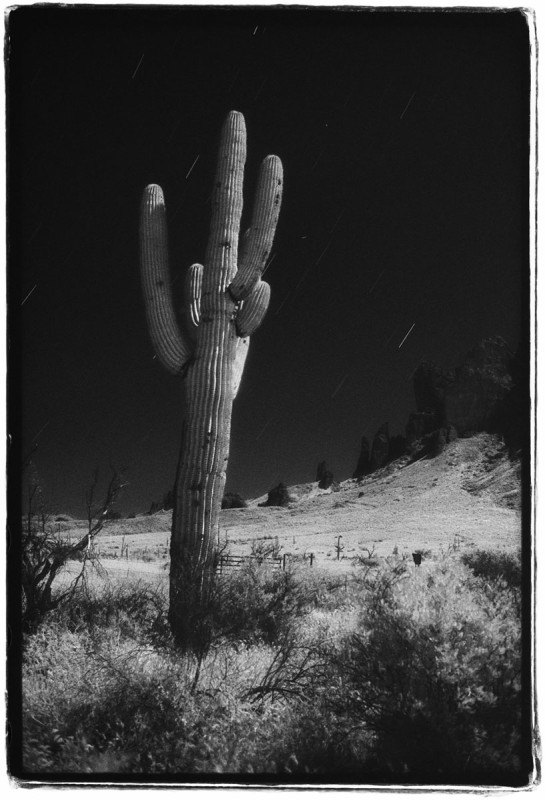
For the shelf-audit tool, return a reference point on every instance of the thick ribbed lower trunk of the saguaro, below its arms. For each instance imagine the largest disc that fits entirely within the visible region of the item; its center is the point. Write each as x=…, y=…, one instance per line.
x=201, y=480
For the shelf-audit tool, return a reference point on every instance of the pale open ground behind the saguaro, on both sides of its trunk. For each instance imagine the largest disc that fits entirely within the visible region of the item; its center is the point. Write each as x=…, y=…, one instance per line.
x=467, y=497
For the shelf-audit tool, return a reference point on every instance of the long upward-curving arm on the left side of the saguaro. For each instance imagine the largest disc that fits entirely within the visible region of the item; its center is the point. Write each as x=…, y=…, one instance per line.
x=171, y=347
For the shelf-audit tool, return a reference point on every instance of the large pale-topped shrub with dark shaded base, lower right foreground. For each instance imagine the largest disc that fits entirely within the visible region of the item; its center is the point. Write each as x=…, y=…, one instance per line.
x=434, y=673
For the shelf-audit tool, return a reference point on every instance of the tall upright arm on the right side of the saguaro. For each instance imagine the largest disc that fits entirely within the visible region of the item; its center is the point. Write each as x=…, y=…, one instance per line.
x=259, y=239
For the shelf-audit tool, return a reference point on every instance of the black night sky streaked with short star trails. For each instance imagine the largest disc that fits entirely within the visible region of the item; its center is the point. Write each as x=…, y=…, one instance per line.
x=404, y=139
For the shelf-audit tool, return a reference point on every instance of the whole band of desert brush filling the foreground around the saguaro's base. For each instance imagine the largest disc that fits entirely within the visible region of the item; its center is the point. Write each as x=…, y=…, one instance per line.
x=389, y=673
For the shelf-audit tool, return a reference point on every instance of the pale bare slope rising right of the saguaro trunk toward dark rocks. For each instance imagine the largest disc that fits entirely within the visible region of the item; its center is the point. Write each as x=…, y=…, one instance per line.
x=467, y=496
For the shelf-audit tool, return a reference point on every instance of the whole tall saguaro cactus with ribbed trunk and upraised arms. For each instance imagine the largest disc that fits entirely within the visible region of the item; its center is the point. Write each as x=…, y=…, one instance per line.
x=226, y=301
